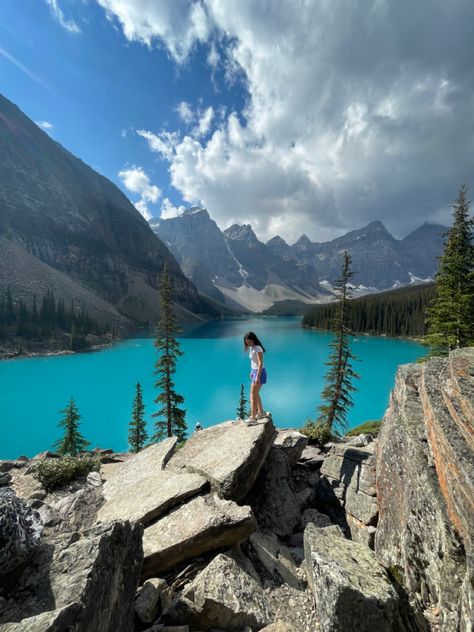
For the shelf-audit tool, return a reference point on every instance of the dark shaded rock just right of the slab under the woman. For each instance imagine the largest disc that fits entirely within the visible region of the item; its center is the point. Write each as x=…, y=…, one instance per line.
x=272, y=497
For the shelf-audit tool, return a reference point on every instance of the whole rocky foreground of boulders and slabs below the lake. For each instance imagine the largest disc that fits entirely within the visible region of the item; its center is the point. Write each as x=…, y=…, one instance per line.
x=249, y=528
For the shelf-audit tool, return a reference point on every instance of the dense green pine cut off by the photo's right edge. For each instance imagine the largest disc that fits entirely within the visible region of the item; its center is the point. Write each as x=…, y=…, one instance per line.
x=450, y=318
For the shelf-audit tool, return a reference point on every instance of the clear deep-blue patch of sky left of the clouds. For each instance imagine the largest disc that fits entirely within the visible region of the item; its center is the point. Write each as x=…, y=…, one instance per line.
x=96, y=88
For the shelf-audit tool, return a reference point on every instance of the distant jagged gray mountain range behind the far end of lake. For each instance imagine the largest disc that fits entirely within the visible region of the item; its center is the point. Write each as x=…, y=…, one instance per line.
x=237, y=269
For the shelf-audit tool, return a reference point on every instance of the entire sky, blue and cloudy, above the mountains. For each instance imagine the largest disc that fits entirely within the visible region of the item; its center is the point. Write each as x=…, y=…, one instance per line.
x=296, y=116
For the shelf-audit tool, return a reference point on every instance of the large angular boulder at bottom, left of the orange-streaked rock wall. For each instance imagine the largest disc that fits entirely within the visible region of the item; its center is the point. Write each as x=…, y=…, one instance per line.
x=352, y=590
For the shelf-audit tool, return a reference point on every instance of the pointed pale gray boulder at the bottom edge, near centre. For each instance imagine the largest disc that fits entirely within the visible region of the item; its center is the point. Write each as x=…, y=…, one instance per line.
x=223, y=596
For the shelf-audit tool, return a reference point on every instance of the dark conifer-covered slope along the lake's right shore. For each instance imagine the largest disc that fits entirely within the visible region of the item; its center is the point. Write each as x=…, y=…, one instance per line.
x=395, y=313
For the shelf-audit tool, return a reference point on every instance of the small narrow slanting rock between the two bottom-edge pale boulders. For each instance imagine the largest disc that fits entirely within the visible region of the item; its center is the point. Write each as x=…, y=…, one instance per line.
x=275, y=558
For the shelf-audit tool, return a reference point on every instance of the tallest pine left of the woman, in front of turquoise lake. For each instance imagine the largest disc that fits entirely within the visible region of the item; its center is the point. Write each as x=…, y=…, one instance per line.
x=174, y=422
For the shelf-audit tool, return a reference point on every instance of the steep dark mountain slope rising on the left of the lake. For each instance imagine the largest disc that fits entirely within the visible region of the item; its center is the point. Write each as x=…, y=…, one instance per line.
x=67, y=228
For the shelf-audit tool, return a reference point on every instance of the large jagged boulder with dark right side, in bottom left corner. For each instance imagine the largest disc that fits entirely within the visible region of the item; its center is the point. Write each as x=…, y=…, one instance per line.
x=84, y=582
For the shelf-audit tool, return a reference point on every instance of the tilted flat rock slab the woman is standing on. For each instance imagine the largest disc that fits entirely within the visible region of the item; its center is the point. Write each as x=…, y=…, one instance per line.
x=229, y=455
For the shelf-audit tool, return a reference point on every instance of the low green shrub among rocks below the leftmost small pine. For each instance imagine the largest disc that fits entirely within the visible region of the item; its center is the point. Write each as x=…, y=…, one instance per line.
x=54, y=473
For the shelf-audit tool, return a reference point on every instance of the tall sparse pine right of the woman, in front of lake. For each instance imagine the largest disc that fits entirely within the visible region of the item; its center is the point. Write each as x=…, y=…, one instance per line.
x=339, y=378
